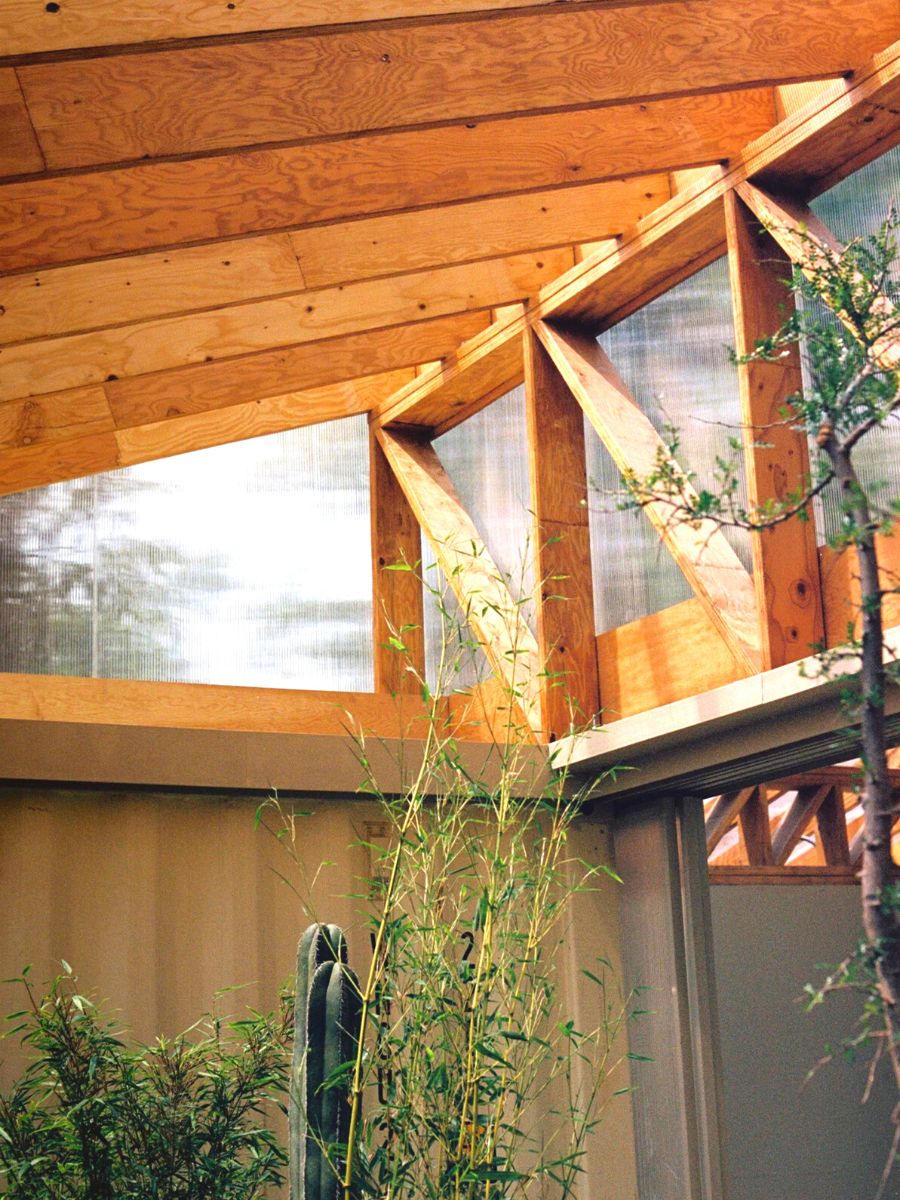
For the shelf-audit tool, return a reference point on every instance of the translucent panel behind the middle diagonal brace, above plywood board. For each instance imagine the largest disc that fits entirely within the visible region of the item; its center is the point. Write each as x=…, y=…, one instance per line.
x=673, y=356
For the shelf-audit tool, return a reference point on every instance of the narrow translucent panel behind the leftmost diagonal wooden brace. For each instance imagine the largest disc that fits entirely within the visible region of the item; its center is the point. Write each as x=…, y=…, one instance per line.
x=488, y=461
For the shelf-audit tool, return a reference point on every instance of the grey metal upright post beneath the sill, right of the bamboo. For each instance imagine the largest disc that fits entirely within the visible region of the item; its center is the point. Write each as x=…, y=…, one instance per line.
x=667, y=945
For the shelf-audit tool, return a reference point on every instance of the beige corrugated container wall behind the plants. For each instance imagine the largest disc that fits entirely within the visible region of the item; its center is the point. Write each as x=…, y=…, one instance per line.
x=158, y=901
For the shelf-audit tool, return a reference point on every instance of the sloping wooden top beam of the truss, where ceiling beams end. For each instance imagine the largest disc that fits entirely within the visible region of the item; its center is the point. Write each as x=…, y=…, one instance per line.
x=847, y=125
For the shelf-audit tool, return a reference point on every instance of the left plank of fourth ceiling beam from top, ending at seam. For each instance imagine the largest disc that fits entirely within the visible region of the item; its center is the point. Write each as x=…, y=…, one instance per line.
x=119, y=291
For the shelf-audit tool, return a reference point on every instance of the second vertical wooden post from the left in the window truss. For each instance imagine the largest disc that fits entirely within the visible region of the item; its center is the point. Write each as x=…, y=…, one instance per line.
x=565, y=590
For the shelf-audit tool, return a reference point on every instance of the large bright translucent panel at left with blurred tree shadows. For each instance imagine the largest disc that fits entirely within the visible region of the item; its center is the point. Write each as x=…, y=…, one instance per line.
x=244, y=565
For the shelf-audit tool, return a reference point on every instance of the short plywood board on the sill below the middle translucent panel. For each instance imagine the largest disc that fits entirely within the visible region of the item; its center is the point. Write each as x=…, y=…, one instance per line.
x=663, y=658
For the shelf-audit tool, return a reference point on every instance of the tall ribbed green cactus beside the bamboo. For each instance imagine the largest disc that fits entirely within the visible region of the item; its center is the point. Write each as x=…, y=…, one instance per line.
x=327, y=1017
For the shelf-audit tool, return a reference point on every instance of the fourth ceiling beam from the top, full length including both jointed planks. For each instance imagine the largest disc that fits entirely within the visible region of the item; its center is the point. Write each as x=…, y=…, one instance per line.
x=142, y=287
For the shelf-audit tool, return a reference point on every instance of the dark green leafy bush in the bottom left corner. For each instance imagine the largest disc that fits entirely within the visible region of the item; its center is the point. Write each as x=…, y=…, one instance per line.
x=94, y=1118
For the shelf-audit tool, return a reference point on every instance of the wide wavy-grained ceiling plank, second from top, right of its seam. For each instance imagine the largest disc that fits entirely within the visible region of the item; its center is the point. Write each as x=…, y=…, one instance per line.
x=218, y=98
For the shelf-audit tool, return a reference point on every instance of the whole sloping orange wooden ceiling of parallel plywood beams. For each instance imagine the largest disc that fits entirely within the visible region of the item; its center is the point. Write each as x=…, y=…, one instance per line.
x=220, y=220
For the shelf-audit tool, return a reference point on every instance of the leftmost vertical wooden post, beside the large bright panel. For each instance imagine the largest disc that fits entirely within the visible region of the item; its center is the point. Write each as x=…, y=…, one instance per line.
x=398, y=610
